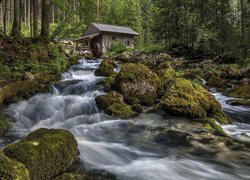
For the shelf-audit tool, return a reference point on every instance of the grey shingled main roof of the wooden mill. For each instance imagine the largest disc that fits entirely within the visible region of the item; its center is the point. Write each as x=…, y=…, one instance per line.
x=114, y=29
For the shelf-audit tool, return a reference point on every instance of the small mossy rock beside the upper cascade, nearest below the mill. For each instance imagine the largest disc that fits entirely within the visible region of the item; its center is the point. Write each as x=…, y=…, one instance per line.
x=106, y=68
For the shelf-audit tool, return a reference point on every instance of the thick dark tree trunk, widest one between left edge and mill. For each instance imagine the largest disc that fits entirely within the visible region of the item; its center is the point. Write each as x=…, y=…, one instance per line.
x=46, y=17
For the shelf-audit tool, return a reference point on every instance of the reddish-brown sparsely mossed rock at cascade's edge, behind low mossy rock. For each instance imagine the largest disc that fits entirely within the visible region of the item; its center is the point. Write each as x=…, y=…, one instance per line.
x=107, y=100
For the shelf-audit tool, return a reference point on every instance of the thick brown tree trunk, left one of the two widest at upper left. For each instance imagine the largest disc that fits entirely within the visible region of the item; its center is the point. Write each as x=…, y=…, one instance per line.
x=16, y=22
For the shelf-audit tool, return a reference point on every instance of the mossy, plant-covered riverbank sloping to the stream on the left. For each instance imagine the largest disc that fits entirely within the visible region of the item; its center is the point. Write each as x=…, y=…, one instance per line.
x=28, y=67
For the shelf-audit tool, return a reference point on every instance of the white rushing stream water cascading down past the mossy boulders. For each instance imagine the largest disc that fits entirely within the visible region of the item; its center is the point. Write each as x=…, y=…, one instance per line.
x=121, y=147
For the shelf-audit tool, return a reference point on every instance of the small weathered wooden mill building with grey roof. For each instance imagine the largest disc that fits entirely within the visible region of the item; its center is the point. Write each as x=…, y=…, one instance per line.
x=98, y=38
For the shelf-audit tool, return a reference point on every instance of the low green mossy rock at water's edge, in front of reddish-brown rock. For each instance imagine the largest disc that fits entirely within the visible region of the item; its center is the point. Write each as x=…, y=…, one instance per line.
x=120, y=110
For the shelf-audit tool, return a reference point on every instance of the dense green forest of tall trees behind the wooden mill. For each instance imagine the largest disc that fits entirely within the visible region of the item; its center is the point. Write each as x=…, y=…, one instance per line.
x=213, y=27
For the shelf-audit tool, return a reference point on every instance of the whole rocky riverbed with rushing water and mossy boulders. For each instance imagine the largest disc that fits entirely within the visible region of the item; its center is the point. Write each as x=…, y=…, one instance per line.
x=146, y=118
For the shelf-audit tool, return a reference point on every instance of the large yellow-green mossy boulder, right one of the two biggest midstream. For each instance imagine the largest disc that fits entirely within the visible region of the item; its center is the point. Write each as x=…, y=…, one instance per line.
x=190, y=99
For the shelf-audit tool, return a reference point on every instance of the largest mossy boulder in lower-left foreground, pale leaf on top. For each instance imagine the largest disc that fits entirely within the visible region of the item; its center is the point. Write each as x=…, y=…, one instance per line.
x=45, y=152
